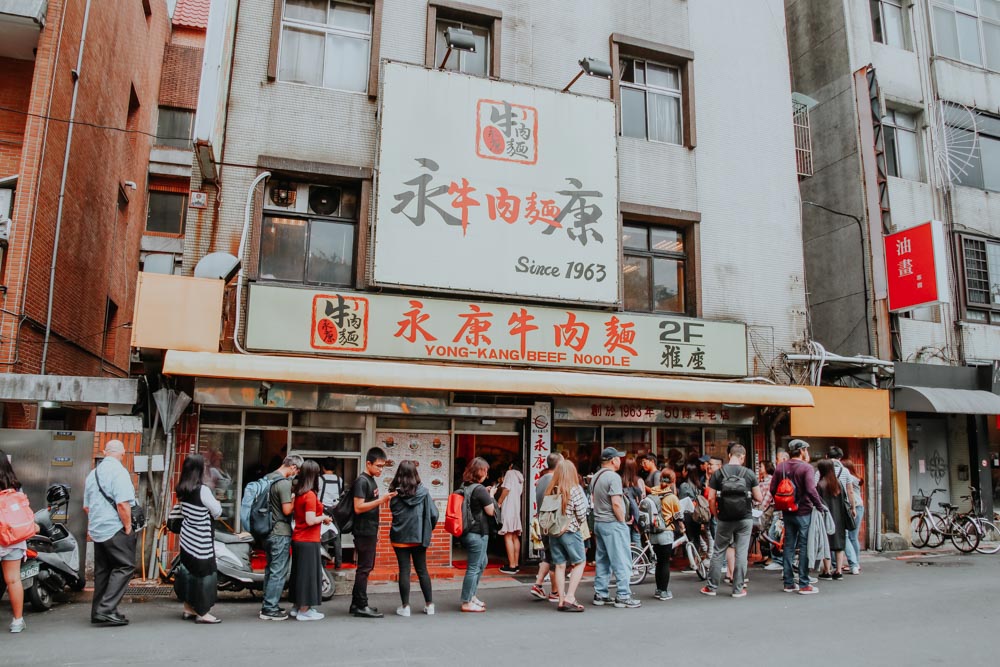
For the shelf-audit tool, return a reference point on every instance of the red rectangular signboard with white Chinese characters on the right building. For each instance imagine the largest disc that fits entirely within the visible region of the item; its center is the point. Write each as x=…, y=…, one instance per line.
x=914, y=266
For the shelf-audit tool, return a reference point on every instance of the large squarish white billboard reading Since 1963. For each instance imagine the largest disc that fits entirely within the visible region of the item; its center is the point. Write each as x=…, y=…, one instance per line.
x=495, y=188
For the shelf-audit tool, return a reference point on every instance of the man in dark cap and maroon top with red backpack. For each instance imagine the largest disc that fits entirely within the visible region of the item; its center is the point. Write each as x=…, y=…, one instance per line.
x=800, y=473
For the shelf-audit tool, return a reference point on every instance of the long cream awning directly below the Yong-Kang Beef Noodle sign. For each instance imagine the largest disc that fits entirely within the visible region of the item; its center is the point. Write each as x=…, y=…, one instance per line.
x=442, y=377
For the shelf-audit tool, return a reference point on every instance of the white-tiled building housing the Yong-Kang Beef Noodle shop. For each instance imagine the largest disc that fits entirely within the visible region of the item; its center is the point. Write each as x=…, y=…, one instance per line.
x=452, y=253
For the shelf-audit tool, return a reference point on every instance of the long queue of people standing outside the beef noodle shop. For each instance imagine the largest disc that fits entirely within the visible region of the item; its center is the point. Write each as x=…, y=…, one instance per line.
x=819, y=508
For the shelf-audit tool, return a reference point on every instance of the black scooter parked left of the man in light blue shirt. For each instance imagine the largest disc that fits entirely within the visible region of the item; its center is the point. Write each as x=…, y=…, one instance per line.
x=54, y=552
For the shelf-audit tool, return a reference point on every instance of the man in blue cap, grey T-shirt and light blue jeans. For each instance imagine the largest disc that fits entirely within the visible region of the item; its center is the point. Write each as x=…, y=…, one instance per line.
x=611, y=532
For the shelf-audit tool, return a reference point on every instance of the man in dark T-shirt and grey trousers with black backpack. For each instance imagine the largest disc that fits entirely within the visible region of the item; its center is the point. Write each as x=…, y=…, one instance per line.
x=730, y=491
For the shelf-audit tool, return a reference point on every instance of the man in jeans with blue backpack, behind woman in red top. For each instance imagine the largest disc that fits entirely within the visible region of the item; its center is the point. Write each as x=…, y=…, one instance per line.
x=278, y=543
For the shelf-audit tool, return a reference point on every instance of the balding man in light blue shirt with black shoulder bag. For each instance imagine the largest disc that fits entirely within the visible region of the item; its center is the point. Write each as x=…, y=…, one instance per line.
x=108, y=497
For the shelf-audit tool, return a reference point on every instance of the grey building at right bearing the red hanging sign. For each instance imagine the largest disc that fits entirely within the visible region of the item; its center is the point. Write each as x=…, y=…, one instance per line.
x=900, y=225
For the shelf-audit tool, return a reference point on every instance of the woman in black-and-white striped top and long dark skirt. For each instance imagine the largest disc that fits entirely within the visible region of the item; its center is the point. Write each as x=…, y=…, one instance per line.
x=199, y=590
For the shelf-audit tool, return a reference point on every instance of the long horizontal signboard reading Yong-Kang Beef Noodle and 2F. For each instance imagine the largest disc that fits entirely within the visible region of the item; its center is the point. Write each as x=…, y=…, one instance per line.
x=476, y=332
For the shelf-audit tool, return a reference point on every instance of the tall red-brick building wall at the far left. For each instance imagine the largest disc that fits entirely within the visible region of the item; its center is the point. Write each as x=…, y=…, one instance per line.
x=98, y=246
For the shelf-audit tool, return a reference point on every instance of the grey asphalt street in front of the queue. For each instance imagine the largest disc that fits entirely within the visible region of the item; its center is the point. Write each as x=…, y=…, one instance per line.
x=939, y=609
